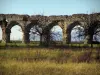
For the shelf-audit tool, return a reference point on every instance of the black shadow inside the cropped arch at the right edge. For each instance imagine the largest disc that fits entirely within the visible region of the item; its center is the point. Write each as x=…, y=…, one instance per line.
x=92, y=31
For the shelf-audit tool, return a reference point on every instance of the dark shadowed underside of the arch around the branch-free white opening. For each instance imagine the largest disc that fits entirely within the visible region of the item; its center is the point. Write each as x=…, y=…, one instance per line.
x=9, y=27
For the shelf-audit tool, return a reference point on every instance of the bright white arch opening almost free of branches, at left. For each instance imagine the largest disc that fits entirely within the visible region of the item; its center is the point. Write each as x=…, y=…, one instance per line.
x=16, y=33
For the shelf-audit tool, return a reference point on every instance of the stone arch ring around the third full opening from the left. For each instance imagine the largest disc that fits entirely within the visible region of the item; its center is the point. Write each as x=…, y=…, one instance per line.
x=47, y=30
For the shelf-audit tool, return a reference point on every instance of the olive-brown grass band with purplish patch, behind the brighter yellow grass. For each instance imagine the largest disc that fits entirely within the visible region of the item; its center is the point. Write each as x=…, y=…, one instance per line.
x=56, y=55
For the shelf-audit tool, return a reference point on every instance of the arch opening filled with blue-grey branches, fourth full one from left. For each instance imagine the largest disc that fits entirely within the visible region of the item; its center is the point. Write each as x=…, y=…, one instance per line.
x=77, y=34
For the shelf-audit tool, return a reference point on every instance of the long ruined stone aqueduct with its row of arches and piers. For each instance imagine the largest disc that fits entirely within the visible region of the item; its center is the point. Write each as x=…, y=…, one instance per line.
x=88, y=21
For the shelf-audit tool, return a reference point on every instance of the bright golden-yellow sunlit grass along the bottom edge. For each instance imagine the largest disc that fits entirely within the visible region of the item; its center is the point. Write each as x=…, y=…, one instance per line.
x=48, y=68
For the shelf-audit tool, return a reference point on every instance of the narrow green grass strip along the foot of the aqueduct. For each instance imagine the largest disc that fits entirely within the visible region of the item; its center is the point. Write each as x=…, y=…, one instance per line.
x=33, y=44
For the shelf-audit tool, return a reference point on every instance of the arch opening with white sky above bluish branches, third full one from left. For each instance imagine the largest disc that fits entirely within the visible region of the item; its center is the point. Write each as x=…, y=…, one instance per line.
x=56, y=34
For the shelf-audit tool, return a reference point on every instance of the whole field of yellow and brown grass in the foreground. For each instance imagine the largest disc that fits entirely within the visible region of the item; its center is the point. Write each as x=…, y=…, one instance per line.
x=51, y=61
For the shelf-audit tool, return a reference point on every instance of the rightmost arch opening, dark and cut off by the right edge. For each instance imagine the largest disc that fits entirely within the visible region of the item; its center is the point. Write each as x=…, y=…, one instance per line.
x=94, y=33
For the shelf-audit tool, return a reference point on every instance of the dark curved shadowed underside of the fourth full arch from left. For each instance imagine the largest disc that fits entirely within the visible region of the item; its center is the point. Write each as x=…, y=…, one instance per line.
x=69, y=29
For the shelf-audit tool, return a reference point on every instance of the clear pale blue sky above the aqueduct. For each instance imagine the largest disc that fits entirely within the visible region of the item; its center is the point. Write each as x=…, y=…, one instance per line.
x=47, y=7
